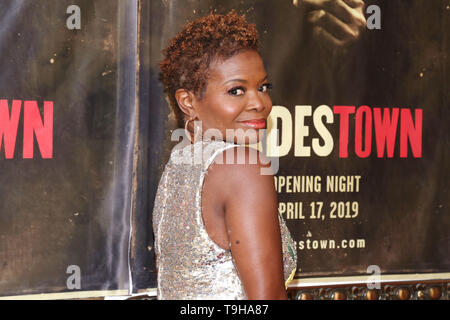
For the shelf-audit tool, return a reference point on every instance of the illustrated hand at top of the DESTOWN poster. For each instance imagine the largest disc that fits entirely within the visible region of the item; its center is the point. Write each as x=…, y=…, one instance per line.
x=336, y=23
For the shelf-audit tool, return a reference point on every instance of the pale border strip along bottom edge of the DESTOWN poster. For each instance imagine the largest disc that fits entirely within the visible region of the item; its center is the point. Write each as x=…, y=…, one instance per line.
x=330, y=281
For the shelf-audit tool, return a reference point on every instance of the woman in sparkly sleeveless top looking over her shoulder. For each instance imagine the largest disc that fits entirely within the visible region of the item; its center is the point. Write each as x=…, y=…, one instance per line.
x=218, y=234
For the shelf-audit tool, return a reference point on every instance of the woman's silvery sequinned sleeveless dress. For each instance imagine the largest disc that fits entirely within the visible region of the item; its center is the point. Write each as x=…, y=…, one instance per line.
x=190, y=266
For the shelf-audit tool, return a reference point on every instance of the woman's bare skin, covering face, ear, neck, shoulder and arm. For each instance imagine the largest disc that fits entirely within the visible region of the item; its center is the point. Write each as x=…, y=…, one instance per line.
x=239, y=204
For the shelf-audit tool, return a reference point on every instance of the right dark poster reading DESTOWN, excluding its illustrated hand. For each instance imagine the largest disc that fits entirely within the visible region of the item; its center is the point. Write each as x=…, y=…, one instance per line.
x=363, y=178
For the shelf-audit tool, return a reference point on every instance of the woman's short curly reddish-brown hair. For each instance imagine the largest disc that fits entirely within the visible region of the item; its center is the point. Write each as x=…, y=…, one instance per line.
x=189, y=54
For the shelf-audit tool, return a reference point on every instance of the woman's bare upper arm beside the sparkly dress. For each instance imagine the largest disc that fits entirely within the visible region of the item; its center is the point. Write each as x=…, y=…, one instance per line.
x=251, y=218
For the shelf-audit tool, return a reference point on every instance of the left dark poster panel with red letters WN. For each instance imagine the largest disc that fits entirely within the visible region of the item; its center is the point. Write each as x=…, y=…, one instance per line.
x=67, y=127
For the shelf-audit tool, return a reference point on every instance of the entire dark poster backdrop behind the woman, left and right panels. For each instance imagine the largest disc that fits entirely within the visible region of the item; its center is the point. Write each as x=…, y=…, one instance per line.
x=85, y=132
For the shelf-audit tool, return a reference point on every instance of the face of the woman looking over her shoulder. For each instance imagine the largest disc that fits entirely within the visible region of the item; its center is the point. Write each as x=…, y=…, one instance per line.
x=236, y=97
